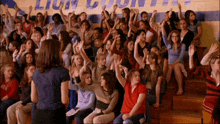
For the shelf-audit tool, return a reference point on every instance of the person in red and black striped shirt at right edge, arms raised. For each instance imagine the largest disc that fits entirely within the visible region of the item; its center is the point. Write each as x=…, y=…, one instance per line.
x=212, y=78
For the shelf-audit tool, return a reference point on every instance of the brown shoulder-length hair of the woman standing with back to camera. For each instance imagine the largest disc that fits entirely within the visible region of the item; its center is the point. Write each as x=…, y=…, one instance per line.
x=49, y=55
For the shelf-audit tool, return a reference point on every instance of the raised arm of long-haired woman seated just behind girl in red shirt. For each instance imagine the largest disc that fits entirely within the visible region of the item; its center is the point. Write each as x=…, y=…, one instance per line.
x=136, y=55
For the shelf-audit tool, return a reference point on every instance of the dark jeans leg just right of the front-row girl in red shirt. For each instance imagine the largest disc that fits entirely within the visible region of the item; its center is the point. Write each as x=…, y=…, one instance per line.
x=151, y=99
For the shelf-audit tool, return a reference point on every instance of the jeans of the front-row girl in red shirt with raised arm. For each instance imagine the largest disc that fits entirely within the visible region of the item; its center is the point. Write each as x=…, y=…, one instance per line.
x=135, y=119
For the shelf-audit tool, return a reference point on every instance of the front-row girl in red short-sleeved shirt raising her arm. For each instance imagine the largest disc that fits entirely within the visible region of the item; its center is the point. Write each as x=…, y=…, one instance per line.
x=134, y=105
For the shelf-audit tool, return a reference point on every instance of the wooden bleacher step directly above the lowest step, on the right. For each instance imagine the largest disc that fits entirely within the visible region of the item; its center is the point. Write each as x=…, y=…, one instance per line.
x=189, y=102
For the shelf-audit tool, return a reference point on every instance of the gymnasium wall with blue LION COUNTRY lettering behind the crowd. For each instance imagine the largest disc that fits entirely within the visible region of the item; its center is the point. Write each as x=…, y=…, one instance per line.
x=207, y=11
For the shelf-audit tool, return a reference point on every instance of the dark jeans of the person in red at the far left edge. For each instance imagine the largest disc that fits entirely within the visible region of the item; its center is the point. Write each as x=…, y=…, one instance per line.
x=3, y=107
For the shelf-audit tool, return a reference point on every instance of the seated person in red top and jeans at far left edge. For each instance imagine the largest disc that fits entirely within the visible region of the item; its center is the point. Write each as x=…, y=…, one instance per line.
x=9, y=90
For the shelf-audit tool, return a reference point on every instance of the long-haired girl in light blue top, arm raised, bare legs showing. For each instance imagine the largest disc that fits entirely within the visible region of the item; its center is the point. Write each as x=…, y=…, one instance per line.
x=175, y=56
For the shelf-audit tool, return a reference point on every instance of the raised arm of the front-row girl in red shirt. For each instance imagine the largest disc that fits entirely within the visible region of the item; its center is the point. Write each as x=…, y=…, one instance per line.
x=117, y=62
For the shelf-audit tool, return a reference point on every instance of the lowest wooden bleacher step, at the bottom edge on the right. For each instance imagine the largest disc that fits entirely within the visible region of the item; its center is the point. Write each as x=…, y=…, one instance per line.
x=180, y=116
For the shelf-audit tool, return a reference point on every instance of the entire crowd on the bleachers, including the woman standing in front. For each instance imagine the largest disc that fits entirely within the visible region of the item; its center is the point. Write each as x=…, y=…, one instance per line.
x=118, y=69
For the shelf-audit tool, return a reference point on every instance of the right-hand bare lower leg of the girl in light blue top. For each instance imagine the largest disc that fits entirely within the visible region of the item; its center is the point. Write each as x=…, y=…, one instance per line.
x=179, y=78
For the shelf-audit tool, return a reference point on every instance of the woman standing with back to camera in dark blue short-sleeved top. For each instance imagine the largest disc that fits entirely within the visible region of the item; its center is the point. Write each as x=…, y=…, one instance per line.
x=49, y=88
